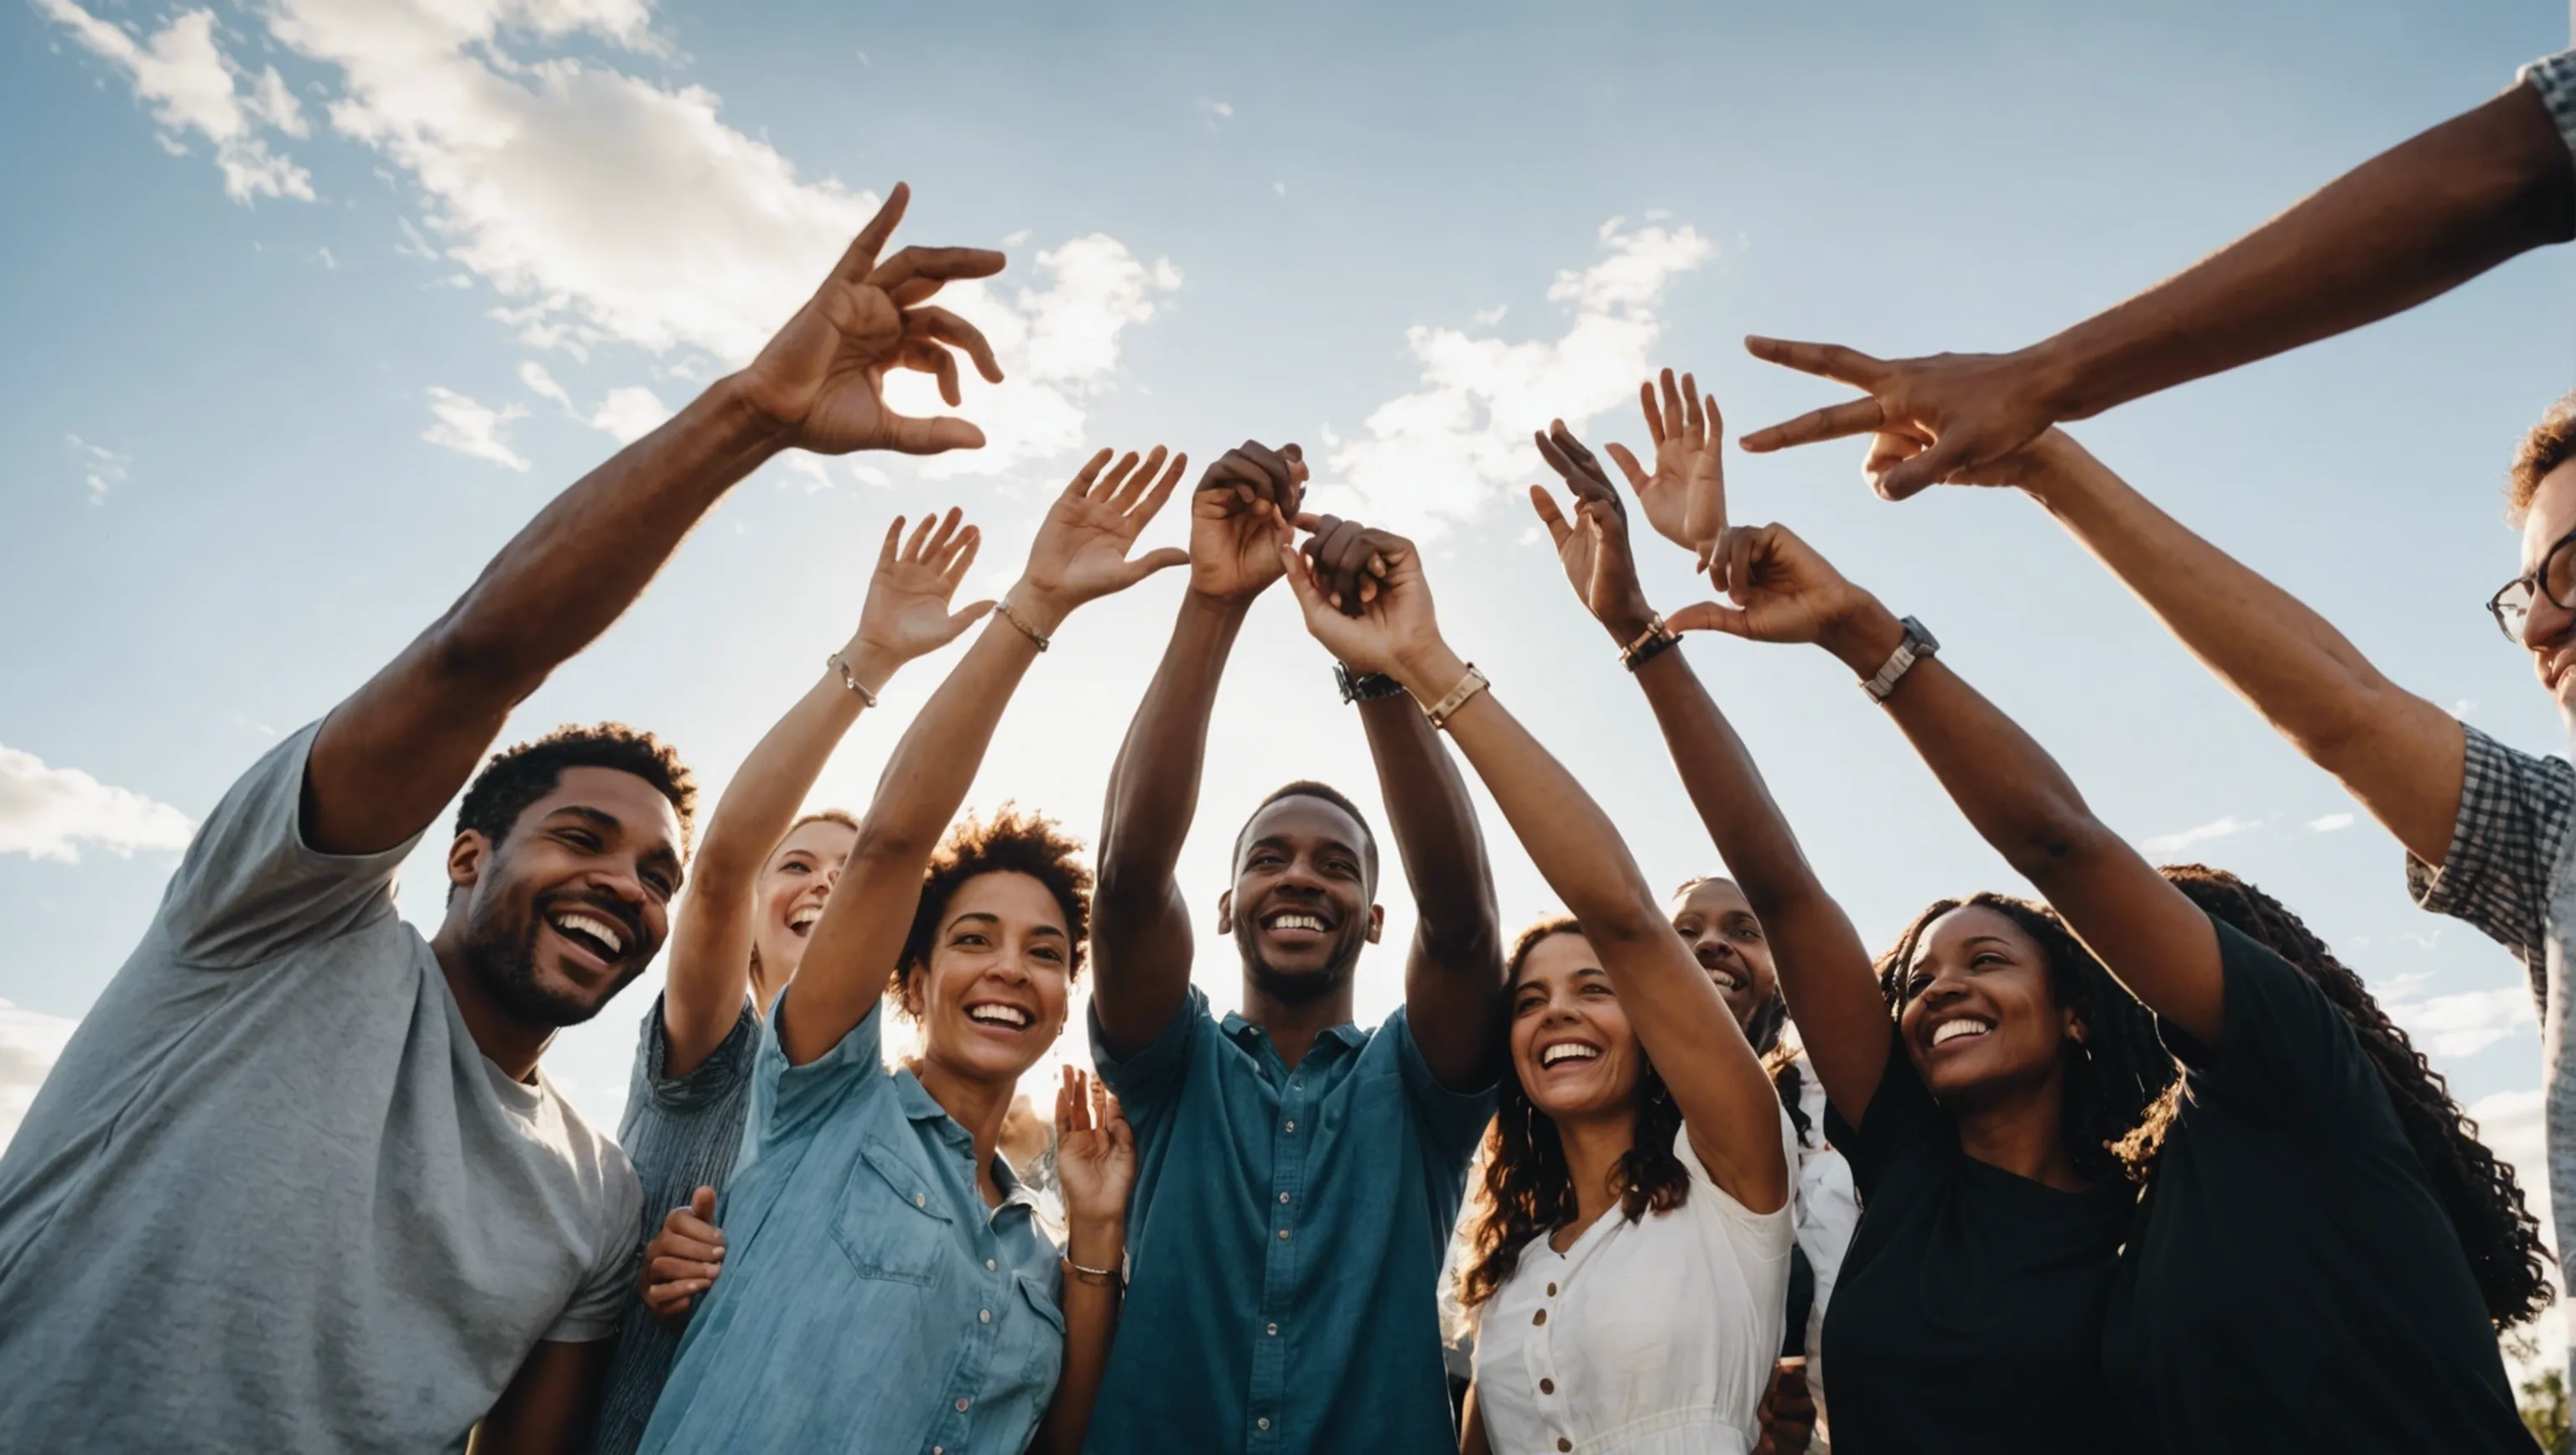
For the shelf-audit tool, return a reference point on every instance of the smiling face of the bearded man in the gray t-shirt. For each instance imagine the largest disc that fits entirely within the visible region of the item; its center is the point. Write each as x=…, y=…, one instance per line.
x=573, y=903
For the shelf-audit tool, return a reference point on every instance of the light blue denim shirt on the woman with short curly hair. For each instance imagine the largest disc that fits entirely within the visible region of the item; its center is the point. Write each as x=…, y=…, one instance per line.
x=872, y=1304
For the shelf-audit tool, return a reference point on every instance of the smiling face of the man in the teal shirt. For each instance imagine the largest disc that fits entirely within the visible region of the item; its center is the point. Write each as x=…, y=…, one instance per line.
x=1302, y=905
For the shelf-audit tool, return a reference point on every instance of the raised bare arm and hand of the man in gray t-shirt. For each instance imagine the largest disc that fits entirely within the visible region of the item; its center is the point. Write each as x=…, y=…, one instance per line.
x=403, y=746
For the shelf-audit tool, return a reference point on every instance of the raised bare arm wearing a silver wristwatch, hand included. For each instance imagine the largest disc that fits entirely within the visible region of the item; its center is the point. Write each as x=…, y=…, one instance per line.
x=2013, y=792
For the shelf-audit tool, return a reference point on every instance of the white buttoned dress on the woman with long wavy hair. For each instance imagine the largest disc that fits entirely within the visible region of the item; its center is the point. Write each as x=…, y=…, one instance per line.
x=1650, y=1338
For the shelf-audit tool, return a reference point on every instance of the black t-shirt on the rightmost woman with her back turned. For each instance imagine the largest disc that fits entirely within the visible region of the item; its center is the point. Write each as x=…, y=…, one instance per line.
x=2294, y=1281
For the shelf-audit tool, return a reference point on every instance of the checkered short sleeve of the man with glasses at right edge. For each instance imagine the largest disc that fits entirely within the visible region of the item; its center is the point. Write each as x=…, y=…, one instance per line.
x=2515, y=815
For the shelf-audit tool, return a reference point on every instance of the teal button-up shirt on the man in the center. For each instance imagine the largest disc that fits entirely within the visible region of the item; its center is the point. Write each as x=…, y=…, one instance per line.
x=1284, y=1243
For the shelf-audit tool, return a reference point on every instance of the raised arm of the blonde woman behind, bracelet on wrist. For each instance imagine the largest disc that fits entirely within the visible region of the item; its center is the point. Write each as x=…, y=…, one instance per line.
x=712, y=939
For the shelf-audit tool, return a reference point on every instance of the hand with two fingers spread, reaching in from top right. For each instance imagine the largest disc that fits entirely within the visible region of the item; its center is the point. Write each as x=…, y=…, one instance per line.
x=1959, y=411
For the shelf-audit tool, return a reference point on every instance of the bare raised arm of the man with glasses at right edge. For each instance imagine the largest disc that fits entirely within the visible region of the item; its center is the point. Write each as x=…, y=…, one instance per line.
x=2389, y=748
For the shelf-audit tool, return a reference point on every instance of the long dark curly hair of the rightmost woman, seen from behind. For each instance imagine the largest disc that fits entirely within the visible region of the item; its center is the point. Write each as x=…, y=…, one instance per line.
x=2479, y=1194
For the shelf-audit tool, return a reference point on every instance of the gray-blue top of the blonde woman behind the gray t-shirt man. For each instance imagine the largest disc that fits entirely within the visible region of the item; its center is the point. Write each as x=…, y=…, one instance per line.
x=684, y=1134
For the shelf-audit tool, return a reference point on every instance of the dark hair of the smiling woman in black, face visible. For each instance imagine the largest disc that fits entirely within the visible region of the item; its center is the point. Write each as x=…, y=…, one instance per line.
x=2116, y=1078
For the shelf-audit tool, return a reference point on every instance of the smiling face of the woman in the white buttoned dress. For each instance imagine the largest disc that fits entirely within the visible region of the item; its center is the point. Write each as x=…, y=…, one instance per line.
x=1573, y=1047
